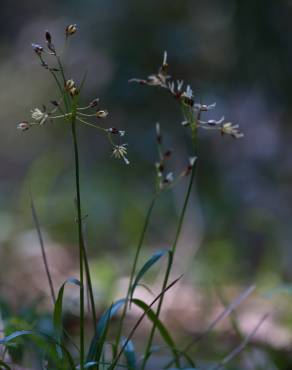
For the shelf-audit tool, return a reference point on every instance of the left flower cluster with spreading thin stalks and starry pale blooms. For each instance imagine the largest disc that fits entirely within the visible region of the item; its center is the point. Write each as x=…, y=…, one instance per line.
x=65, y=107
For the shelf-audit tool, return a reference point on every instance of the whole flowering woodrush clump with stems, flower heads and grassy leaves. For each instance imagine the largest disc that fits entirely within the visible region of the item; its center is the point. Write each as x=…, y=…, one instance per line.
x=90, y=352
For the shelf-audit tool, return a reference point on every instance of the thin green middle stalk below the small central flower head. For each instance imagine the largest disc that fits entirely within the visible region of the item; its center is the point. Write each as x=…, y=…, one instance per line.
x=134, y=267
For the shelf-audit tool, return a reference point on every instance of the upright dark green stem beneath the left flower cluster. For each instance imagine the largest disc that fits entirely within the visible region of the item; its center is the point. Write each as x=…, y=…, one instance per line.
x=80, y=236
